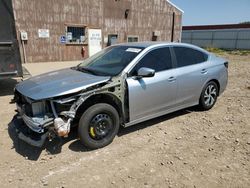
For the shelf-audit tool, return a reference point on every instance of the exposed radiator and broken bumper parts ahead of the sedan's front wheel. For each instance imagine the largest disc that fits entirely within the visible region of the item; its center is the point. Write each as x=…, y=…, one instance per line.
x=48, y=118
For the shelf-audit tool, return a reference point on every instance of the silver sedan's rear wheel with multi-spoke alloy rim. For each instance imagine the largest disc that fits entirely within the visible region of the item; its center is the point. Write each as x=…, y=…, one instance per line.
x=208, y=96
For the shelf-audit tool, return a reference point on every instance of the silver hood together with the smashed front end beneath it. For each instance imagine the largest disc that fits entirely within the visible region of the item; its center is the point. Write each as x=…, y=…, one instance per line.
x=47, y=104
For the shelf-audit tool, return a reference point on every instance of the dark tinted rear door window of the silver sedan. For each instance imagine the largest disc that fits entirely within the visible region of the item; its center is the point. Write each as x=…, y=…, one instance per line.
x=188, y=56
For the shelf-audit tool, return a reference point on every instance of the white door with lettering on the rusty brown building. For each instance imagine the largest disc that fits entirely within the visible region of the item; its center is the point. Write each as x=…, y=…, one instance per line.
x=94, y=41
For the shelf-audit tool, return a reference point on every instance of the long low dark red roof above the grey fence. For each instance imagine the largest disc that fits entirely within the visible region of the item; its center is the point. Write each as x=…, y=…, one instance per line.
x=216, y=27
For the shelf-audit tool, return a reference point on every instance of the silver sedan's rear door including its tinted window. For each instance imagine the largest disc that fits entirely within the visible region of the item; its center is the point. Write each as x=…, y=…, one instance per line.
x=192, y=73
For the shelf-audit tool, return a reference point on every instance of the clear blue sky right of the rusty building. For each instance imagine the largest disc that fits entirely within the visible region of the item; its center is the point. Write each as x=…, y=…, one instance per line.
x=202, y=12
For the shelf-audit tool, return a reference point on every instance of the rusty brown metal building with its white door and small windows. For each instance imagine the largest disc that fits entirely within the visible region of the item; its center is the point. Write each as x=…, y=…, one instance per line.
x=64, y=30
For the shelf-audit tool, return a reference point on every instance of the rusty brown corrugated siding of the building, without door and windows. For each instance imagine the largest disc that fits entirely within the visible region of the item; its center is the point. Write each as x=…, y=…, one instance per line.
x=145, y=16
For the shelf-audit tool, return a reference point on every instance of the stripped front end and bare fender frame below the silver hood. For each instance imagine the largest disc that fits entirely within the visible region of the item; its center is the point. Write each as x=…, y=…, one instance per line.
x=44, y=119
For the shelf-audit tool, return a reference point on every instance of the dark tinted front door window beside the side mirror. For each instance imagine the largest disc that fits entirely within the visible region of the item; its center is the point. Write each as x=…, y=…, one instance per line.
x=158, y=59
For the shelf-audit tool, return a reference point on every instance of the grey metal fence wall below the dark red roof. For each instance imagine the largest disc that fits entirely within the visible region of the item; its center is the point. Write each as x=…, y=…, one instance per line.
x=226, y=38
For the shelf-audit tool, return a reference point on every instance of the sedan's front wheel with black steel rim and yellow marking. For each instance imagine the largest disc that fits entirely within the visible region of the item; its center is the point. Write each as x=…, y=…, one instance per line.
x=98, y=126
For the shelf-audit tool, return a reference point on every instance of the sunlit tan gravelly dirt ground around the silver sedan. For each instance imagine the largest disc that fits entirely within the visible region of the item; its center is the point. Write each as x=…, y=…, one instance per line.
x=188, y=148
